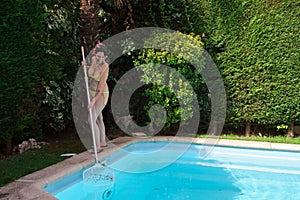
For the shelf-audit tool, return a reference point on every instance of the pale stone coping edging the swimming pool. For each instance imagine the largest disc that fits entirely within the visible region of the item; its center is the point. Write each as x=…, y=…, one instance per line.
x=31, y=185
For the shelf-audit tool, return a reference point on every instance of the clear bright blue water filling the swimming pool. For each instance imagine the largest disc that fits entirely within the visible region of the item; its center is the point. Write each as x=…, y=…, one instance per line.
x=225, y=173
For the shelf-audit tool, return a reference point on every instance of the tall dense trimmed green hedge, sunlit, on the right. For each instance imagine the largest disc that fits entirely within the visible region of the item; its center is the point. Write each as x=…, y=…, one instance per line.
x=259, y=59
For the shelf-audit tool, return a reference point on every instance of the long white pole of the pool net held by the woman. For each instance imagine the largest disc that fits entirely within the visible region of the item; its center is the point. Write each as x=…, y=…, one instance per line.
x=89, y=100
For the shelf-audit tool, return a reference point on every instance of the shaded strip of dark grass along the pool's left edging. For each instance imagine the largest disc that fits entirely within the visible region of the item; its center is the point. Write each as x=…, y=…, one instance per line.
x=16, y=166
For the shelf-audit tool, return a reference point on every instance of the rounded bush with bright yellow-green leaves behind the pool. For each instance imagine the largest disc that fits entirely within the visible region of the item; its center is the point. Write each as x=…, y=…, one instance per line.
x=167, y=86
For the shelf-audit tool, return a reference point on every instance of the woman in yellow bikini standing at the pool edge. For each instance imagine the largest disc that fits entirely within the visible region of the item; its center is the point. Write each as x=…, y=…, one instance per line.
x=98, y=74
